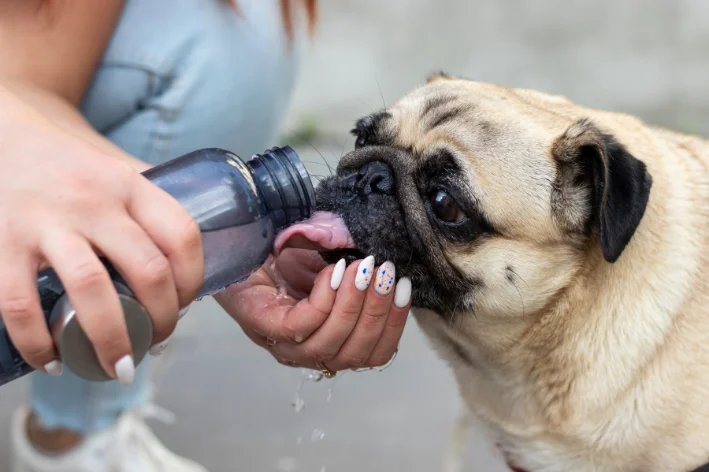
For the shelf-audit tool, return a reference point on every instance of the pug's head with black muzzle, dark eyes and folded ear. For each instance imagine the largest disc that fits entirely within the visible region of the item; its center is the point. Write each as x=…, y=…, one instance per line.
x=489, y=202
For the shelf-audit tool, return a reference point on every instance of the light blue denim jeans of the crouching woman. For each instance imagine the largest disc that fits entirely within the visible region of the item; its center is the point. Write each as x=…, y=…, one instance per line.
x=177, y=76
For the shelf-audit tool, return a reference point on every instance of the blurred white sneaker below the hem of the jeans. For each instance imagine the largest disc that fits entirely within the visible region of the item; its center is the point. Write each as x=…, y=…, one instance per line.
x=129, y=446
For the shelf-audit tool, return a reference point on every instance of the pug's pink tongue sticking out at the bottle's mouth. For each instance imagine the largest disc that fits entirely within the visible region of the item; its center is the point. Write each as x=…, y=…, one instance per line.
x=323, y=231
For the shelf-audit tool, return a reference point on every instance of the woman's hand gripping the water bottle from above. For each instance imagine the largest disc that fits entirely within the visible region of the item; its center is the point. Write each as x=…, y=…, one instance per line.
x=62, y=200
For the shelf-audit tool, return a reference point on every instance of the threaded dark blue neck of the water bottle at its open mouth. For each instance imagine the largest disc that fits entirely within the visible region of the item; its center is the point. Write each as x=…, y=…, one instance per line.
x=284, y=185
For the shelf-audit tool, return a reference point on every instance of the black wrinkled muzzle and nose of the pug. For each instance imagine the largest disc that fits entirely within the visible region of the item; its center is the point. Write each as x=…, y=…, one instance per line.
x=376, y=194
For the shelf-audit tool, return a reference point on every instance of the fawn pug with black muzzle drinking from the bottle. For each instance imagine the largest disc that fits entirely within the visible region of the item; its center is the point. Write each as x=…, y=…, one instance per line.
x=560, y=264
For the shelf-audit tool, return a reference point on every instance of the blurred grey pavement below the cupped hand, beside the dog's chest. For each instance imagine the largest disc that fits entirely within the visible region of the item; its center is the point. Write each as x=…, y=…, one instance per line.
x=235, y=411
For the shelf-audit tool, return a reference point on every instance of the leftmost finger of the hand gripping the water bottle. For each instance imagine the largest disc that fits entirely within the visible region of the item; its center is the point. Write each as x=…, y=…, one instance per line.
x=22, y=313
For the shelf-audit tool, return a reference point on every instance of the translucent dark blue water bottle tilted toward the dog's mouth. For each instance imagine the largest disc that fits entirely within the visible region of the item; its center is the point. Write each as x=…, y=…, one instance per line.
x=239, y=208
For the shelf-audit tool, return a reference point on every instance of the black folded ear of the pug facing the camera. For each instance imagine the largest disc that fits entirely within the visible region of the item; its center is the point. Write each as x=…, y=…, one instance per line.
x=599, y=184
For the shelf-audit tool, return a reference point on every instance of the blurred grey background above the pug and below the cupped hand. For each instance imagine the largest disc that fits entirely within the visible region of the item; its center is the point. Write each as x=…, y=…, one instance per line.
x=233, y=402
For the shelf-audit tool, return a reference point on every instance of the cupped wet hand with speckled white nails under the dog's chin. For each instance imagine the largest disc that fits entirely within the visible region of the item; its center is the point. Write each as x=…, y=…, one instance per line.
x=325, y=318
